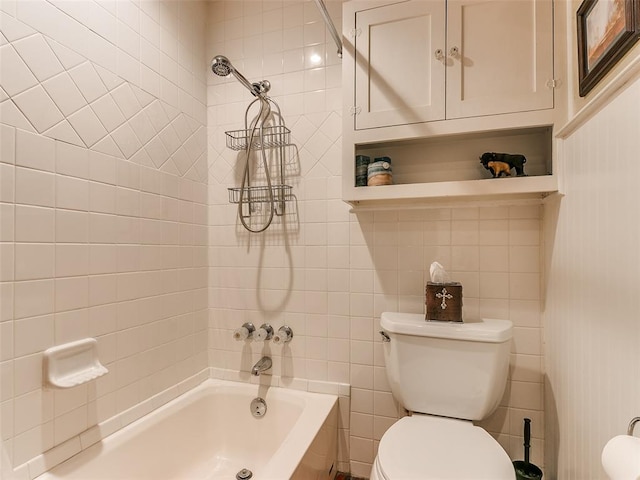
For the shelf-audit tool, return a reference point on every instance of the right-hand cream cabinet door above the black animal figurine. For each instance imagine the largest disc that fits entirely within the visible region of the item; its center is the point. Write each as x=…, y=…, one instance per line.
x=504, y=59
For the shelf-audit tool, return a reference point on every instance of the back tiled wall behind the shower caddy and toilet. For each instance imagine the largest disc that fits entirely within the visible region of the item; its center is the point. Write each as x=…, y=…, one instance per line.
x=331, y=273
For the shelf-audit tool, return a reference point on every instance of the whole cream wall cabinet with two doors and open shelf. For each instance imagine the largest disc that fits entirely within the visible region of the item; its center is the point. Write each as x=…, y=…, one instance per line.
x=462, y=75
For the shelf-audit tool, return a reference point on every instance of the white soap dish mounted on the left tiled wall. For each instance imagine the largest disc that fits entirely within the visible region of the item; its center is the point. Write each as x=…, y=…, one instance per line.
x=73, y=363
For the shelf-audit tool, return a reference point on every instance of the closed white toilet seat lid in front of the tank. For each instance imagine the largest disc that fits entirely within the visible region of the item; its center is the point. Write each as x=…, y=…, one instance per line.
x=424, y=447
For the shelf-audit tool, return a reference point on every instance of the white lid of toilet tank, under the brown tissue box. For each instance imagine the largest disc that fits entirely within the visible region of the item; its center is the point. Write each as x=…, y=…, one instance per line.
x=485, y=330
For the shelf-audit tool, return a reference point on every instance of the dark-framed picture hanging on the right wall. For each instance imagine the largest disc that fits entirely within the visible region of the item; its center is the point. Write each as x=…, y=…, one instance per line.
x=607, y=29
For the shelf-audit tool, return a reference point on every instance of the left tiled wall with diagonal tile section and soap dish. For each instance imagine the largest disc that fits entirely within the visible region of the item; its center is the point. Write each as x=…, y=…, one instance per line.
x=97, y=239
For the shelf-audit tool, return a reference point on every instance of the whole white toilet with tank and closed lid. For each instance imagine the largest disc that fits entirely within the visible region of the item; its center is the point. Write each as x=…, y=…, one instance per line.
x=447, y=375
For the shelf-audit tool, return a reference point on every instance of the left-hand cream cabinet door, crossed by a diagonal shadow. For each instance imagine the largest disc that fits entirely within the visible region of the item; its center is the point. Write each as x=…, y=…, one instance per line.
x=399, y=79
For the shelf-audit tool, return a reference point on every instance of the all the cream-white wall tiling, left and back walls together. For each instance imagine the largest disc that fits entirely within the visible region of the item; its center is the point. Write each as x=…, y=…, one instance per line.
x=102, y=155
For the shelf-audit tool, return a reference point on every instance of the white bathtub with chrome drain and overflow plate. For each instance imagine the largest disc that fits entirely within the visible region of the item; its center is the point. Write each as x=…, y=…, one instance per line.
x=210, y=433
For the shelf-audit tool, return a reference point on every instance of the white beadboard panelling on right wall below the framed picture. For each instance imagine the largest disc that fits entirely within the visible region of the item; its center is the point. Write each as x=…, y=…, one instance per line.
x=592, y=315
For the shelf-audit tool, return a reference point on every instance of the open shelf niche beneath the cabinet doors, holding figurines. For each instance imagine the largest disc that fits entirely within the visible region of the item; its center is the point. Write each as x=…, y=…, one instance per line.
x=449, y=166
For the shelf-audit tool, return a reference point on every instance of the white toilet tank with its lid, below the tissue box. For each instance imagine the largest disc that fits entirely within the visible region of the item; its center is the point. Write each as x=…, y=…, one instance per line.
x=456, y=370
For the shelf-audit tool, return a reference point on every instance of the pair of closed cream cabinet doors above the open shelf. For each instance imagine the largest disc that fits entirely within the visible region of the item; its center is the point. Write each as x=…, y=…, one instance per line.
x=494, y=56
